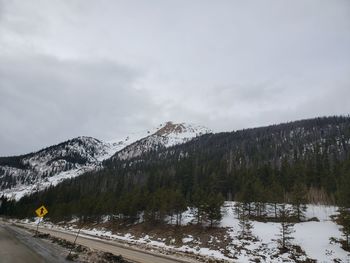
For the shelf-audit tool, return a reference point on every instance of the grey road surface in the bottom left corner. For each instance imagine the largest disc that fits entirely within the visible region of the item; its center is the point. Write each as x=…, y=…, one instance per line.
x=19, y=246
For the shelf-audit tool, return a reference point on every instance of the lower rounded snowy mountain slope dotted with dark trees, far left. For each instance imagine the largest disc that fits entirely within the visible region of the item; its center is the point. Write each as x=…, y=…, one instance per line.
x=24, y=174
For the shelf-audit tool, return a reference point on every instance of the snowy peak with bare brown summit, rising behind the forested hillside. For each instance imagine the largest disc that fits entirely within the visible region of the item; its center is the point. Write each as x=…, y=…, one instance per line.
x=167, y=135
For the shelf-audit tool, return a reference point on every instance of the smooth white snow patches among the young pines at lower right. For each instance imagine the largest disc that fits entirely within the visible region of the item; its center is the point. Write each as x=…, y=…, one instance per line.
x=313, y=237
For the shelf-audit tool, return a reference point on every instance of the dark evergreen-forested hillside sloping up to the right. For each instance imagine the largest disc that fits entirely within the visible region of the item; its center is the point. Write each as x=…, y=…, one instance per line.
x=296, y=162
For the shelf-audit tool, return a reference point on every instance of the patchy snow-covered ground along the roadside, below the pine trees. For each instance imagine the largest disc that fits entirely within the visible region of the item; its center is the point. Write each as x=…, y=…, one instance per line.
x=313, y=237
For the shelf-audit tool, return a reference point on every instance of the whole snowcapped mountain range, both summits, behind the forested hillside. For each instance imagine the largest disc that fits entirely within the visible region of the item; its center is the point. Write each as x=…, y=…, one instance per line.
x=20, y=175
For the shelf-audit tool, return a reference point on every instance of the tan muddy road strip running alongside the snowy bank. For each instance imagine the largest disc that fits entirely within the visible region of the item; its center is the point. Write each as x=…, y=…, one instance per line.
x=132, y=254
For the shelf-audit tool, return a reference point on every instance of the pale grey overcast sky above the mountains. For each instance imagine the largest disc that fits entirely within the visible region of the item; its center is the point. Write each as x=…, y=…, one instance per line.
x=107, y=68
